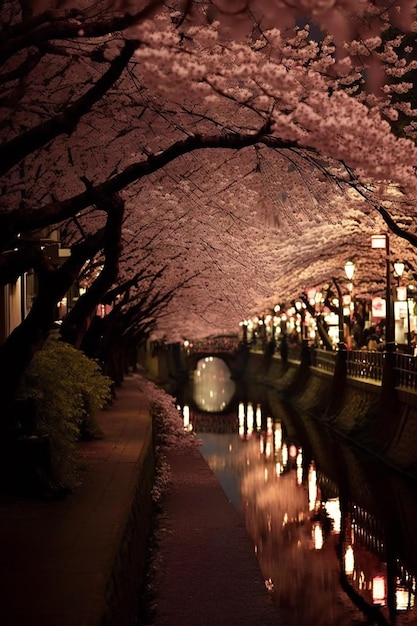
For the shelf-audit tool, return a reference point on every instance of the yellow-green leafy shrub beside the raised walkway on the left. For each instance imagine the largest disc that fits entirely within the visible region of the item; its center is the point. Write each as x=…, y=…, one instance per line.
x=64, y=390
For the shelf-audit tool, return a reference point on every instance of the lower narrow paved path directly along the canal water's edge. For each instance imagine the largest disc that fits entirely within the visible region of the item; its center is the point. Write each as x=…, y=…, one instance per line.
x=207, y=573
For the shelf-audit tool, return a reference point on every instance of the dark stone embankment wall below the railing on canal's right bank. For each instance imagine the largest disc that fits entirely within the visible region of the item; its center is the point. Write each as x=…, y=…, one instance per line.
x=356, y=409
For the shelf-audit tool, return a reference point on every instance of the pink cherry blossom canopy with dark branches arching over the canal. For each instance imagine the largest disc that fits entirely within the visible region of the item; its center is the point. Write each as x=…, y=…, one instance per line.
x=197, y=171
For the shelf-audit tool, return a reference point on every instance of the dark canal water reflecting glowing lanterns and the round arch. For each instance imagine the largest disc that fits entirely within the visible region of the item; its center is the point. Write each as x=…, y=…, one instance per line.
x=333, y=528
